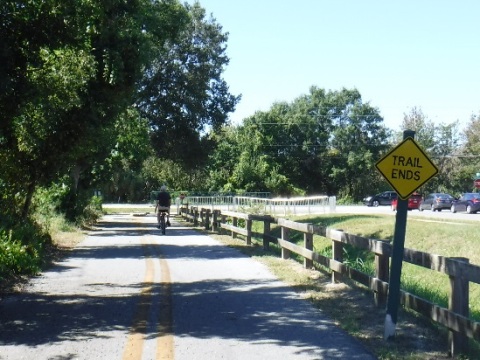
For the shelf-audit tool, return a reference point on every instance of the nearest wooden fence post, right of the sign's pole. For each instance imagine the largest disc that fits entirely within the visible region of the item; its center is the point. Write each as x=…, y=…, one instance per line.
x=458, y=303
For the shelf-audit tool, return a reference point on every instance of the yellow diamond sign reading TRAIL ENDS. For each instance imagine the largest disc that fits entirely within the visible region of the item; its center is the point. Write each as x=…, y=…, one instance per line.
x=406, y=168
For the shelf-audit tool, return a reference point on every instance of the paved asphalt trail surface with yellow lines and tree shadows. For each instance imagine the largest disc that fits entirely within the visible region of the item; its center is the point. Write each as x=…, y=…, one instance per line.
x=128, y=292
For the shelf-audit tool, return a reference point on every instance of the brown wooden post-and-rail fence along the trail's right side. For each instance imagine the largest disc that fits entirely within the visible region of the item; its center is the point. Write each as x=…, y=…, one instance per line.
x=460, y=272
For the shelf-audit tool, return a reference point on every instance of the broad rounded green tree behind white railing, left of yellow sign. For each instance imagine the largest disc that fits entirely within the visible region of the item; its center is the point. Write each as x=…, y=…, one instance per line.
x=323, y=142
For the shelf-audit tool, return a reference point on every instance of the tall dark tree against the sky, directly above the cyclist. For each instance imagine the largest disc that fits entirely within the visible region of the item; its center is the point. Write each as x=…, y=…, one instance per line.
x=183, y=94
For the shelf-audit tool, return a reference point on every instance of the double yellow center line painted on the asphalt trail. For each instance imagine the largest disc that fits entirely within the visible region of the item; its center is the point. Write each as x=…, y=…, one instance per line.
x=135, y=343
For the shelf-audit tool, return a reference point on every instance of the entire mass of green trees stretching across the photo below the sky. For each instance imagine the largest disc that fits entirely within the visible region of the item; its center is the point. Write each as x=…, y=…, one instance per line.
x=127, y=95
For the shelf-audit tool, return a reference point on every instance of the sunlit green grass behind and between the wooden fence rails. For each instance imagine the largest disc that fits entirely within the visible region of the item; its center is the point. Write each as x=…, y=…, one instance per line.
x=451, y=239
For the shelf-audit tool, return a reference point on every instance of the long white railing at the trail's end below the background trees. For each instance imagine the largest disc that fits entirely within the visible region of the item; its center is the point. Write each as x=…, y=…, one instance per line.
x=319, y=204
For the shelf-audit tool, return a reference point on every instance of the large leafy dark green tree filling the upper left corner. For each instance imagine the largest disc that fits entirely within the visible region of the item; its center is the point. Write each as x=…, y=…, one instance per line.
x=65, y=83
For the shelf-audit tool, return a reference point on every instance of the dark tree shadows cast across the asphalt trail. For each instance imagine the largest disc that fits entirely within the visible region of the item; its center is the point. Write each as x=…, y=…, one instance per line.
x=253, y=310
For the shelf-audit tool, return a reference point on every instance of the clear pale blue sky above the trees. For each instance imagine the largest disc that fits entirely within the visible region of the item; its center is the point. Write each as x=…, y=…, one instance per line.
x=398, y=54
